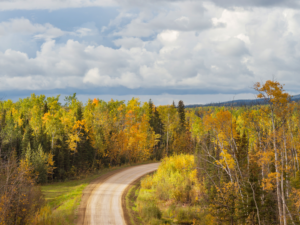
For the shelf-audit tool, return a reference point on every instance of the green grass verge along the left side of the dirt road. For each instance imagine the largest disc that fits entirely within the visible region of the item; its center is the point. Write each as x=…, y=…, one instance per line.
x=63, y=199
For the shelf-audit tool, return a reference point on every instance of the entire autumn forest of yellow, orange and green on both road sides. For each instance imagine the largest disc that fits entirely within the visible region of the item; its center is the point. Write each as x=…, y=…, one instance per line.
x=220, y=165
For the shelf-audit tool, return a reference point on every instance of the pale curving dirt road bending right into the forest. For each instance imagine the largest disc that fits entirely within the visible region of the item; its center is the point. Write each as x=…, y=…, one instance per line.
x=104, y=204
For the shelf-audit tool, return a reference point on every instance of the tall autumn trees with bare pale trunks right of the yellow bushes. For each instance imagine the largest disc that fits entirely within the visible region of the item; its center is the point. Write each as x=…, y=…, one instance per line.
x=248, y=160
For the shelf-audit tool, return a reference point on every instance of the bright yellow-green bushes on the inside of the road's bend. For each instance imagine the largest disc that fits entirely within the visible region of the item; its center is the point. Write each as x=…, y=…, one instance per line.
x=171, y=195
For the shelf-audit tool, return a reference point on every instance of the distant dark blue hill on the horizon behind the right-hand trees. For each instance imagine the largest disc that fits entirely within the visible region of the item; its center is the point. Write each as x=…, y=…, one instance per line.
x=238, y=102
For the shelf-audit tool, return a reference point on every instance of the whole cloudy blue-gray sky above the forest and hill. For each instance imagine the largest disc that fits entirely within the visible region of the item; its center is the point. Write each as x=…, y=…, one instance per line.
x=195, y=51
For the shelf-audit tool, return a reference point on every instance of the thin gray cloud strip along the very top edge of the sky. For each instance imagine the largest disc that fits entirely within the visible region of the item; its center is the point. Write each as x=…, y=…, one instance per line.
x=140, y=4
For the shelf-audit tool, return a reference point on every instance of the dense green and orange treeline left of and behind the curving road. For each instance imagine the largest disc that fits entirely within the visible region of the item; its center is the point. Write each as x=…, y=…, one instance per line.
x=62, y=141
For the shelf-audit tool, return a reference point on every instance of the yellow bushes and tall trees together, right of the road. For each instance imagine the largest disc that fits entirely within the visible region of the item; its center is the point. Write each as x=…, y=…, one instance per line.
x=245, y=168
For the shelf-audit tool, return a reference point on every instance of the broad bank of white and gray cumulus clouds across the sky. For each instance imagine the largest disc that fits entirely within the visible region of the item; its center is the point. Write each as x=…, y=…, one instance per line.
x=188, y=46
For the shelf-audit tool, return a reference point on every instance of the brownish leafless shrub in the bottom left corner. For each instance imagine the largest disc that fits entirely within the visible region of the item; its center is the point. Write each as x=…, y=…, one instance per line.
x=19, y=197
